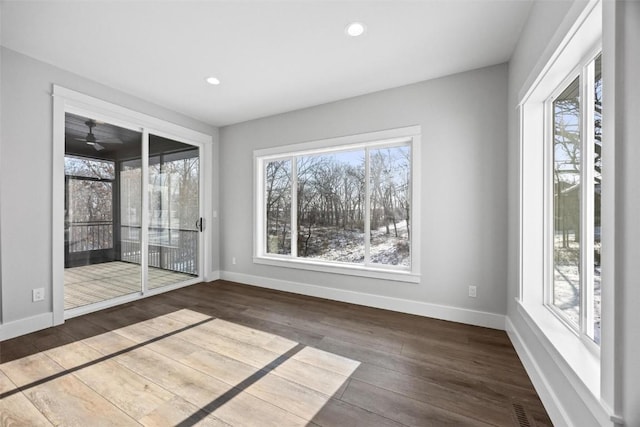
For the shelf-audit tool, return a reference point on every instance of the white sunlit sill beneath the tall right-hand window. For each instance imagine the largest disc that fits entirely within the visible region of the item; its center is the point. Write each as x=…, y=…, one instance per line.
x=580, y=364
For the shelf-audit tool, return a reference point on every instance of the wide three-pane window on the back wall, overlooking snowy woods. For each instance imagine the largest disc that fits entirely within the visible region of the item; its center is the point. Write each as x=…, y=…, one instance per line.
x=339, y=203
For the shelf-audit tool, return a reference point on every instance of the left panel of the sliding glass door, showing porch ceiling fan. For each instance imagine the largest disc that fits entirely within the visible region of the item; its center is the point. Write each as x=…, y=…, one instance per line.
x=102, y=197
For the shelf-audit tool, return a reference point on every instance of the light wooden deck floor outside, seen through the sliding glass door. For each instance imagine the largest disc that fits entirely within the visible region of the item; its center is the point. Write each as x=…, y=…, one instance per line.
x=100, y=282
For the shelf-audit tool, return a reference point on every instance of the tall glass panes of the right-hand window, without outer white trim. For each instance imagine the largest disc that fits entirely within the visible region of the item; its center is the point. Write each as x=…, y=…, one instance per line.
x=577, y=168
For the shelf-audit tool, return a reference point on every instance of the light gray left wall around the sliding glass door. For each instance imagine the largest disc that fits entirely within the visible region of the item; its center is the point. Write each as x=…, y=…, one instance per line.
x=25, y=174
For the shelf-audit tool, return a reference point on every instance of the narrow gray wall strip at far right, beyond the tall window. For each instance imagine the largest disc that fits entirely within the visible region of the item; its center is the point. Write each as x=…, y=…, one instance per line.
x=622, y=33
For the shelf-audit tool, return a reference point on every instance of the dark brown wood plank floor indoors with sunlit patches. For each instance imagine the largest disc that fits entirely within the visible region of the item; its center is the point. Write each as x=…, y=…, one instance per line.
x=225, y=354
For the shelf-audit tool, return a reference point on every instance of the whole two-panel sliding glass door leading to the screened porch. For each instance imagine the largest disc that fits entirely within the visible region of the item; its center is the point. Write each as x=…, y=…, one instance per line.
x=132, y=213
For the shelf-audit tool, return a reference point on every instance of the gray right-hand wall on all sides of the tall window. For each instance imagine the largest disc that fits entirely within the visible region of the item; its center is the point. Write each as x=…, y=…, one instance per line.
x=547, y=24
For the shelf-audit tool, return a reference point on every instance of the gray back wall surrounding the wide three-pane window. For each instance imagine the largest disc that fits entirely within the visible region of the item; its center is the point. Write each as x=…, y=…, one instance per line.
x=463, y=188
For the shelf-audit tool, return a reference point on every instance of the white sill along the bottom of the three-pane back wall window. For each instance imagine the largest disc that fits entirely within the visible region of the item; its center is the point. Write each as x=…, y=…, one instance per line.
x=350, y=270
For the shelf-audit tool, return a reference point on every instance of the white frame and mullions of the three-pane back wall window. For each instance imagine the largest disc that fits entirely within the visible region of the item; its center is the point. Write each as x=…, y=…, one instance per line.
x=388, y=138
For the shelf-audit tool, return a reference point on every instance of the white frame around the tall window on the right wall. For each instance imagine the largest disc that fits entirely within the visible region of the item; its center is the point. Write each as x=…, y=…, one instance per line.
x=579, y=359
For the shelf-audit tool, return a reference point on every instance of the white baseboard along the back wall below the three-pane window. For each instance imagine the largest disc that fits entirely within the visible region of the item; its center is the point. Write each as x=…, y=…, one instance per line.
x=437, y=311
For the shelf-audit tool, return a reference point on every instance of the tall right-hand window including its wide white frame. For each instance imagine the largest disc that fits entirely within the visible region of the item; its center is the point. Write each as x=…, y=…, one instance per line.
x=561, y=175
